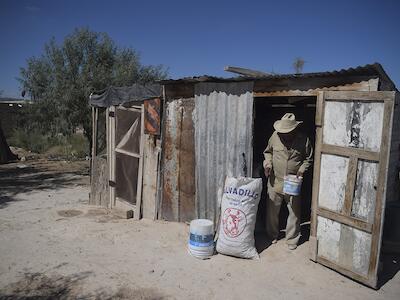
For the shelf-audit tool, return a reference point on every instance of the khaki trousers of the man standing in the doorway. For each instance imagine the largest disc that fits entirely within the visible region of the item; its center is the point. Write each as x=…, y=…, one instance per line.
x=293, y=204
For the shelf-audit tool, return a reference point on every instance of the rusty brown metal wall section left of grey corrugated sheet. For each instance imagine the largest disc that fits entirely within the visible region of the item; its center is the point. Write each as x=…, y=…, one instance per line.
x=178, y=202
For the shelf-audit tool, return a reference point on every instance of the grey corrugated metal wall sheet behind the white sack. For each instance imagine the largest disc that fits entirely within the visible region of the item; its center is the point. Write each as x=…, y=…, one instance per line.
x=223, y=140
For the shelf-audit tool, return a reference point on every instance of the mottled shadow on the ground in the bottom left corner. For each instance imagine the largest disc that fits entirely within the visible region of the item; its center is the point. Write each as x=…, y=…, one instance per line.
x=40, y=286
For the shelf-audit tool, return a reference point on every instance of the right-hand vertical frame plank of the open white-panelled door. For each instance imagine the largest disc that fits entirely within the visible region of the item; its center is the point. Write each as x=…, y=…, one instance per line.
x=381, y=189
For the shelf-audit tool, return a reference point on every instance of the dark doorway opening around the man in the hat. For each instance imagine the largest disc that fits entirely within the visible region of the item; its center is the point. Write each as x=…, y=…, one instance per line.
x=267, y=110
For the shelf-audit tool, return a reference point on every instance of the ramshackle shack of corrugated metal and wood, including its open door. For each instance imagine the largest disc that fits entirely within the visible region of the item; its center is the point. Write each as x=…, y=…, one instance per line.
x=208, y=128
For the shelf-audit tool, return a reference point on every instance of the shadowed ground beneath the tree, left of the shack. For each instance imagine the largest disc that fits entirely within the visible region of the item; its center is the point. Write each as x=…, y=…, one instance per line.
x=38, y=175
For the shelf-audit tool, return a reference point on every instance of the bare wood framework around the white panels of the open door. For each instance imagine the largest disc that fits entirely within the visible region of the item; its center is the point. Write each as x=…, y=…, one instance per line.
x=382, y=157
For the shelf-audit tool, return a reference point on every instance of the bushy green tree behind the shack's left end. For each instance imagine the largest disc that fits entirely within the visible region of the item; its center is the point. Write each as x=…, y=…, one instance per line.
x=60, y=80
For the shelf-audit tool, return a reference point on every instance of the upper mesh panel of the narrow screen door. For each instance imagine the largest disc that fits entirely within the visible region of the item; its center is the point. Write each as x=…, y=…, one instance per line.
x=127, y=136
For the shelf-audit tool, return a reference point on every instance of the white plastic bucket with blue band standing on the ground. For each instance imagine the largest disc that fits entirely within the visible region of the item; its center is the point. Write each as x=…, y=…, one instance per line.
x=201, y=238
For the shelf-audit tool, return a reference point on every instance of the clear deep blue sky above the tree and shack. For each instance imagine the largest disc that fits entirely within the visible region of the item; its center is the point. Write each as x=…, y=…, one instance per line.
x=201, y=37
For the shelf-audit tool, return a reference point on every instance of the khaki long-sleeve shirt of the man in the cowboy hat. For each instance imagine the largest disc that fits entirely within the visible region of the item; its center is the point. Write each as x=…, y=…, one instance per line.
x=284, y=161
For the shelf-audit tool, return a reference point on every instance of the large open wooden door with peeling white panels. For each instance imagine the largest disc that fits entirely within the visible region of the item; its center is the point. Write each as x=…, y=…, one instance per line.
x=349, y=185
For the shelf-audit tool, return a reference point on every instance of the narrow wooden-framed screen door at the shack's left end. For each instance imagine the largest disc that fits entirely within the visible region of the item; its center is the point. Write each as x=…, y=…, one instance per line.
x=126, y=157
